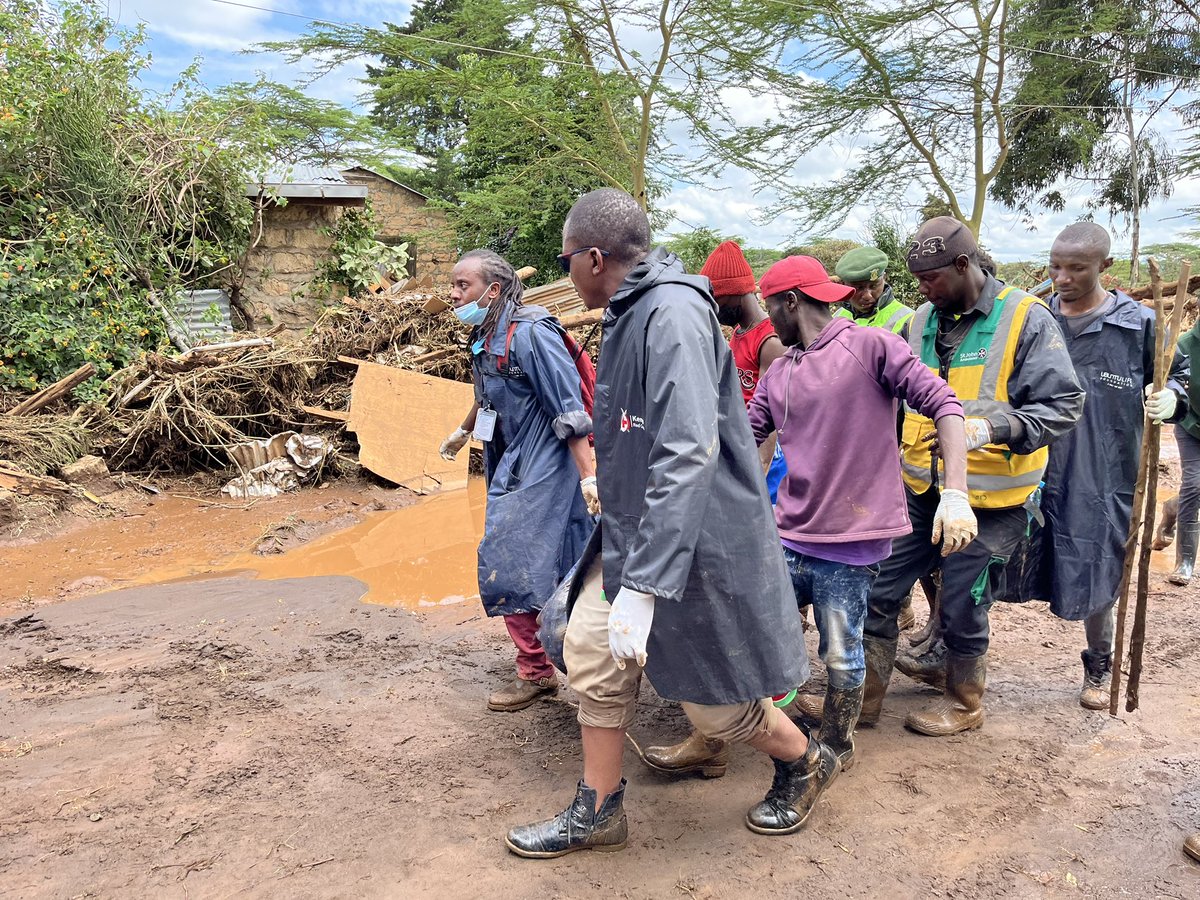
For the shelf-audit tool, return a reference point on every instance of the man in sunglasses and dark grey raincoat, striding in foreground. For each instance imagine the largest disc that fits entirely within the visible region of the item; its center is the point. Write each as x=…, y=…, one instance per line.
x=700, y=596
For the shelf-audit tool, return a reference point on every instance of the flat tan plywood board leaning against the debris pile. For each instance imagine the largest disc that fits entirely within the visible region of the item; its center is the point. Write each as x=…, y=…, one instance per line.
x=401, y=419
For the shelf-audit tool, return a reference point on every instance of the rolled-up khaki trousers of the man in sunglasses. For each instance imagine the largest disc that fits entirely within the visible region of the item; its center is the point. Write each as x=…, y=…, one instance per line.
x=609, y=695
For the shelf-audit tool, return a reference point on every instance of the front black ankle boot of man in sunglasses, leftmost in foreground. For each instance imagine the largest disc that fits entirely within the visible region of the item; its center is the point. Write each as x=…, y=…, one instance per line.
x=578, y=827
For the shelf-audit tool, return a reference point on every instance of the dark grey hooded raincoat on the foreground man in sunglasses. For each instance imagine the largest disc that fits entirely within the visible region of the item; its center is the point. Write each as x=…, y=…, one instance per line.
x=686, y=511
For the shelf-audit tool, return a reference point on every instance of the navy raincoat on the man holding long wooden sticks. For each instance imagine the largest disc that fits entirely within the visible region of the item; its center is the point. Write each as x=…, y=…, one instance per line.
x=1088, y=500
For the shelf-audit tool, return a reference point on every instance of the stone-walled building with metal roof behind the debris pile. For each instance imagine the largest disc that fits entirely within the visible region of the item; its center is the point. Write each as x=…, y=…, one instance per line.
x=296, y=239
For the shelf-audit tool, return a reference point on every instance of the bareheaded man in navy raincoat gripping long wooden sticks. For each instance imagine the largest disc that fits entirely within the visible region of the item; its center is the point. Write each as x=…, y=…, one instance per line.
x=1088, y=500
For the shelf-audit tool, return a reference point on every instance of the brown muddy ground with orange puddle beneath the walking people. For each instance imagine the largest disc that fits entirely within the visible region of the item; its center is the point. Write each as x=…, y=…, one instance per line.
x=284, y=739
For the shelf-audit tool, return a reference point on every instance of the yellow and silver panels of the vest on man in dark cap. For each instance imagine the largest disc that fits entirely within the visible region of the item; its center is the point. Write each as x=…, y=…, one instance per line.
x=997, y=477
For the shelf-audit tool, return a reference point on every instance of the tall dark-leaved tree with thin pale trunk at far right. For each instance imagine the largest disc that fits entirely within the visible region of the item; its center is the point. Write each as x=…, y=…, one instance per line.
x=1094, y=71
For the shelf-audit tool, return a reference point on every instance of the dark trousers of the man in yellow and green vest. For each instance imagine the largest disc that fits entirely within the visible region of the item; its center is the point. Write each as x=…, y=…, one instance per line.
x=971, y=579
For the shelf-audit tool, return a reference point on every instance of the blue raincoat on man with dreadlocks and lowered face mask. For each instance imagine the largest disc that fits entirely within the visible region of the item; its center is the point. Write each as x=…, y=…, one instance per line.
x=537, y=523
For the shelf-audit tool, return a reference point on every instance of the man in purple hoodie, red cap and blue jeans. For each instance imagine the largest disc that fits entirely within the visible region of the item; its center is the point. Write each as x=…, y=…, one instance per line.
x=836, y=391
